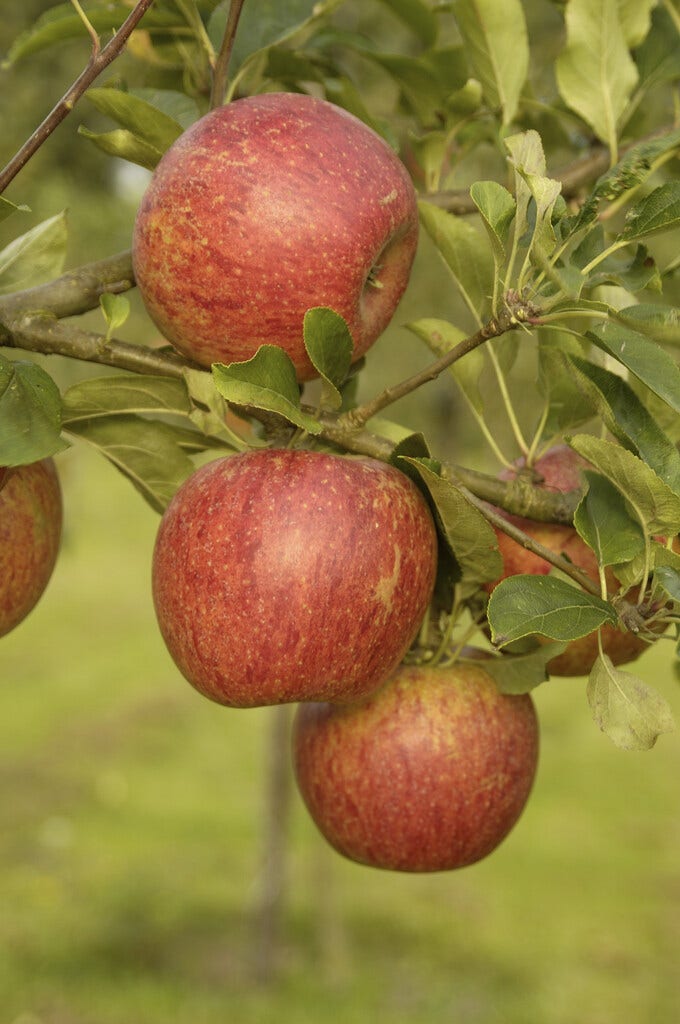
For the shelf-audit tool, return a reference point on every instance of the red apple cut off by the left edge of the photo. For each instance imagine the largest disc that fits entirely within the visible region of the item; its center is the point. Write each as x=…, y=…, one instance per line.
x=31, y=515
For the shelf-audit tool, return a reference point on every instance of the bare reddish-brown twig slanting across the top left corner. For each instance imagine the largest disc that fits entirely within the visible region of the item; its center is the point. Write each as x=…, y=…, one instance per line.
x=100, y=60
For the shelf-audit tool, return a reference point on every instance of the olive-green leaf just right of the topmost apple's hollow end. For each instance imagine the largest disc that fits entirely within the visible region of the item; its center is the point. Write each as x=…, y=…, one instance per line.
x=462, y=249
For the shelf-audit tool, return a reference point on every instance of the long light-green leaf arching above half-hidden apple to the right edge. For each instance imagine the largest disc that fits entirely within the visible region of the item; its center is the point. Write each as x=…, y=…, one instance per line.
x=655, y=504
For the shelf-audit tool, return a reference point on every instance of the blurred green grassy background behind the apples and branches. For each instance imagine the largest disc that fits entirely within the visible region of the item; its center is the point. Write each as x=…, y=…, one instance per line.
x=134, y=812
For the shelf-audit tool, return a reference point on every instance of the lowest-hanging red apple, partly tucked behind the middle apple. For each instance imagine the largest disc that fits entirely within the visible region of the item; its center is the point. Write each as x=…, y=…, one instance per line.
x=429, y=775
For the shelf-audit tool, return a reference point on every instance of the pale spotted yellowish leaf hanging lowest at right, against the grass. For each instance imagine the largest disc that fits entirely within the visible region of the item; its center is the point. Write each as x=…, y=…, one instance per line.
x=631, y=714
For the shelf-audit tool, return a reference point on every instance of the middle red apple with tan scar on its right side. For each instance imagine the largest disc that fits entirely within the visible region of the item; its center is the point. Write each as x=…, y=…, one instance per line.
x=283, y=576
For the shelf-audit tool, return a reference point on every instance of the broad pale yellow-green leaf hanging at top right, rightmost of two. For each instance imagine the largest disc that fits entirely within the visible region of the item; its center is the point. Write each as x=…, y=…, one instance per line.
x=596, y=73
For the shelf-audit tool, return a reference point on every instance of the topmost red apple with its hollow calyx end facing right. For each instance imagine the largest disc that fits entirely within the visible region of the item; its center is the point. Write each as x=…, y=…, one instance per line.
x=264, y=209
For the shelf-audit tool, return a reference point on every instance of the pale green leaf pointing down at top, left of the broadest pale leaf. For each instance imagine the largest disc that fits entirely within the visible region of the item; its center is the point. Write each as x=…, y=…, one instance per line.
x=496, y=41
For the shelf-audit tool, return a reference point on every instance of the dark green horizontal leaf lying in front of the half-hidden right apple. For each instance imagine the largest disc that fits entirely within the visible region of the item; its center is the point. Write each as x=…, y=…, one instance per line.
x=524, y=606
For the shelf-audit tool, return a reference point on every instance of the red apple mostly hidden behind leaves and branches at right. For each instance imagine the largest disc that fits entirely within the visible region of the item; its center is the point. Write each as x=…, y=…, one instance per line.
x=560, y=470
